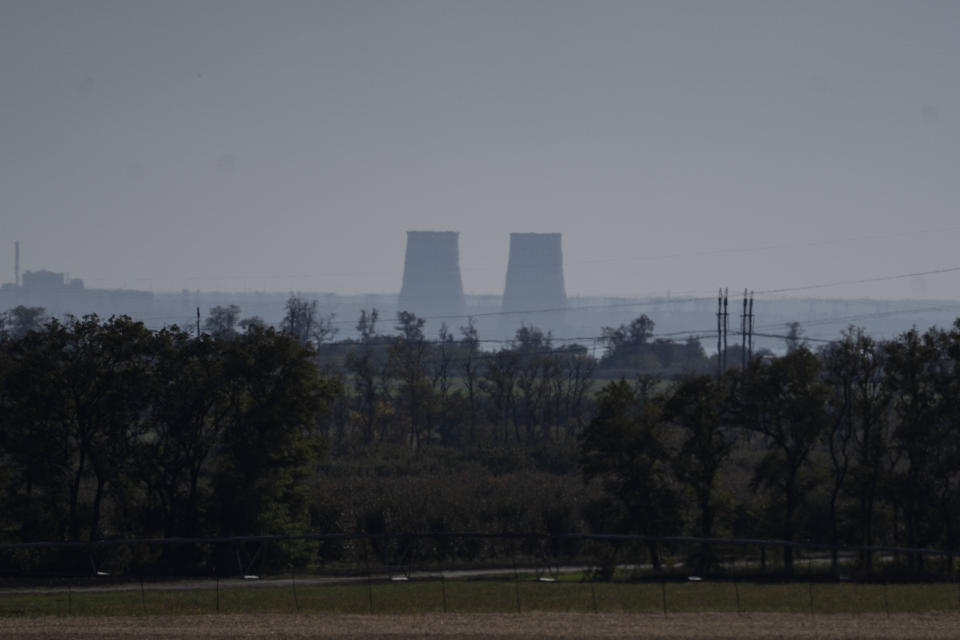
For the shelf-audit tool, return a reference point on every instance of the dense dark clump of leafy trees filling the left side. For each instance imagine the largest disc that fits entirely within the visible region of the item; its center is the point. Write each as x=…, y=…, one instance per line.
x=109, y=429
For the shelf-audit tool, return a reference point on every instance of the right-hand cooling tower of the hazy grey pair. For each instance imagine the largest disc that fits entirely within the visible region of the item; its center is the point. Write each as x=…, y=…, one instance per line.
x=534, y=276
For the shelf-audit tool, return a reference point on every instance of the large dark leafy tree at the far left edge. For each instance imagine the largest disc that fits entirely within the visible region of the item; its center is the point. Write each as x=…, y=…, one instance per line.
x=78, y=395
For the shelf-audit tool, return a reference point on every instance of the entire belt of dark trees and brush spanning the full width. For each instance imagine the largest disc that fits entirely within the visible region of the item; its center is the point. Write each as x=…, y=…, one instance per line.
x=109, y=429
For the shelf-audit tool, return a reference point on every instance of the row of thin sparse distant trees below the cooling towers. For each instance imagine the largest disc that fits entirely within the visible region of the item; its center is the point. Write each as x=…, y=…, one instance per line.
x=406, y=389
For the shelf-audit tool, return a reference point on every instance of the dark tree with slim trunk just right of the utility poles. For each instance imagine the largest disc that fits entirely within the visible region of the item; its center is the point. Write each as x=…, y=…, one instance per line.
x=785, y=402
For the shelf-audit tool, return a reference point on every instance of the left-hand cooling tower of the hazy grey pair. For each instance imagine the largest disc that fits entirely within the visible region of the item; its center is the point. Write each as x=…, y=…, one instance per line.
x=431, y=275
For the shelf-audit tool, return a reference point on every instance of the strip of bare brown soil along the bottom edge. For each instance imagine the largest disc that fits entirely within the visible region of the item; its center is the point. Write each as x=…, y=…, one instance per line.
x=499, y=626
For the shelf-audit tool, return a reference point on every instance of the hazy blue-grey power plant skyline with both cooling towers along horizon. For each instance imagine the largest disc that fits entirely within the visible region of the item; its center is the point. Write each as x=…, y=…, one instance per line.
x=534, y=294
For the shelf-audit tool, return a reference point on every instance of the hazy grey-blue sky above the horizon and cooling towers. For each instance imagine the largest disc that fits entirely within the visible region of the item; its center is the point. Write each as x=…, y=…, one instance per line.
x=677, y=146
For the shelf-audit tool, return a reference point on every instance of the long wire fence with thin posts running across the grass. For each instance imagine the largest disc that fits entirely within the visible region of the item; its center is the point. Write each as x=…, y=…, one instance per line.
x=469, y=572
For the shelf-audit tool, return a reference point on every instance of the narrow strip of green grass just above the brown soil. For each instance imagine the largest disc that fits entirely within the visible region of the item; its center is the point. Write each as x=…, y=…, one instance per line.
x=487, y=596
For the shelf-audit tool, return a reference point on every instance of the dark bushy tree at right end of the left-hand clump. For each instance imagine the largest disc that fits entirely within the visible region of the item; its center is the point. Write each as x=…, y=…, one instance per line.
x=269, y=444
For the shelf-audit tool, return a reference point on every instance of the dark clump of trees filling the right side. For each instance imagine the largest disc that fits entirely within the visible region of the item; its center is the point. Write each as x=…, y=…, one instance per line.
x=857, y=444
